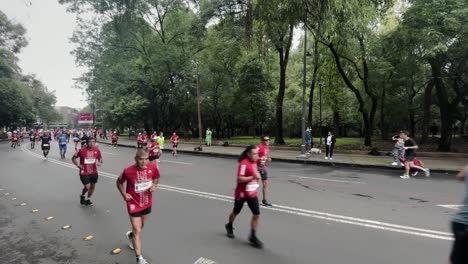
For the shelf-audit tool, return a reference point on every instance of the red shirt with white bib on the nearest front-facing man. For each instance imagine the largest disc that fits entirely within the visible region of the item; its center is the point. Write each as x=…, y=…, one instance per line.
x=139, y=182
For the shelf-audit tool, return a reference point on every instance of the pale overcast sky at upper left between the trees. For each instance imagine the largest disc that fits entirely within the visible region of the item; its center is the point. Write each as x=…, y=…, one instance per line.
x=49, y=28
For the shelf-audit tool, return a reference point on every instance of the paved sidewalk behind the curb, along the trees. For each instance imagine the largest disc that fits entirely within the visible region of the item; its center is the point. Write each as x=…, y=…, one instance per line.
x=436, y=164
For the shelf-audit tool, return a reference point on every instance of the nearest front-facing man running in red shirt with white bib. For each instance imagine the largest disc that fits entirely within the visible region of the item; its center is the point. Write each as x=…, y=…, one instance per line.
x=142, y=180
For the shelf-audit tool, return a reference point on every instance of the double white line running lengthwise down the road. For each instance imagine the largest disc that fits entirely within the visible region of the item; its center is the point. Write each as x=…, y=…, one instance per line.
x=297, y=211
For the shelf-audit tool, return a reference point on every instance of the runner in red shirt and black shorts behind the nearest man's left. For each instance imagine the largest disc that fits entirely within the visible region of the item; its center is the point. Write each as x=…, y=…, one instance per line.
x=89, y=157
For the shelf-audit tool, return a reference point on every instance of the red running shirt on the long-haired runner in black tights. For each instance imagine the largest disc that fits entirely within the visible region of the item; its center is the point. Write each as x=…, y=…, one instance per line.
x=246, y=168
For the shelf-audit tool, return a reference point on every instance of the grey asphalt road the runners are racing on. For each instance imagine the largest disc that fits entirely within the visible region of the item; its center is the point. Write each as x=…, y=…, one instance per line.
x=320, y=214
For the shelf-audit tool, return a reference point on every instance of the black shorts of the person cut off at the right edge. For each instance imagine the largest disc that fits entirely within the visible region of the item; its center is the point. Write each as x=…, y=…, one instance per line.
x=459, y=253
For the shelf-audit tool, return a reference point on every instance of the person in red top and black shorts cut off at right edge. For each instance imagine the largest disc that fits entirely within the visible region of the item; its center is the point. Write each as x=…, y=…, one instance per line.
x=459, y=254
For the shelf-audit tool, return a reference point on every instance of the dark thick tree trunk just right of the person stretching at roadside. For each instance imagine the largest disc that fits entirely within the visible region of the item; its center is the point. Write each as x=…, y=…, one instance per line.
x=445, y=143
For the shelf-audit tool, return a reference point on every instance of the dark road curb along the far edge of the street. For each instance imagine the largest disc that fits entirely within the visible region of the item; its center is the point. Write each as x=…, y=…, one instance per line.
x=297, y=161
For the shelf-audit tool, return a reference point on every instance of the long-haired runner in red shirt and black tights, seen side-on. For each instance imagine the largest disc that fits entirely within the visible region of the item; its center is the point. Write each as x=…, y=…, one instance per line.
x=246, y=191
